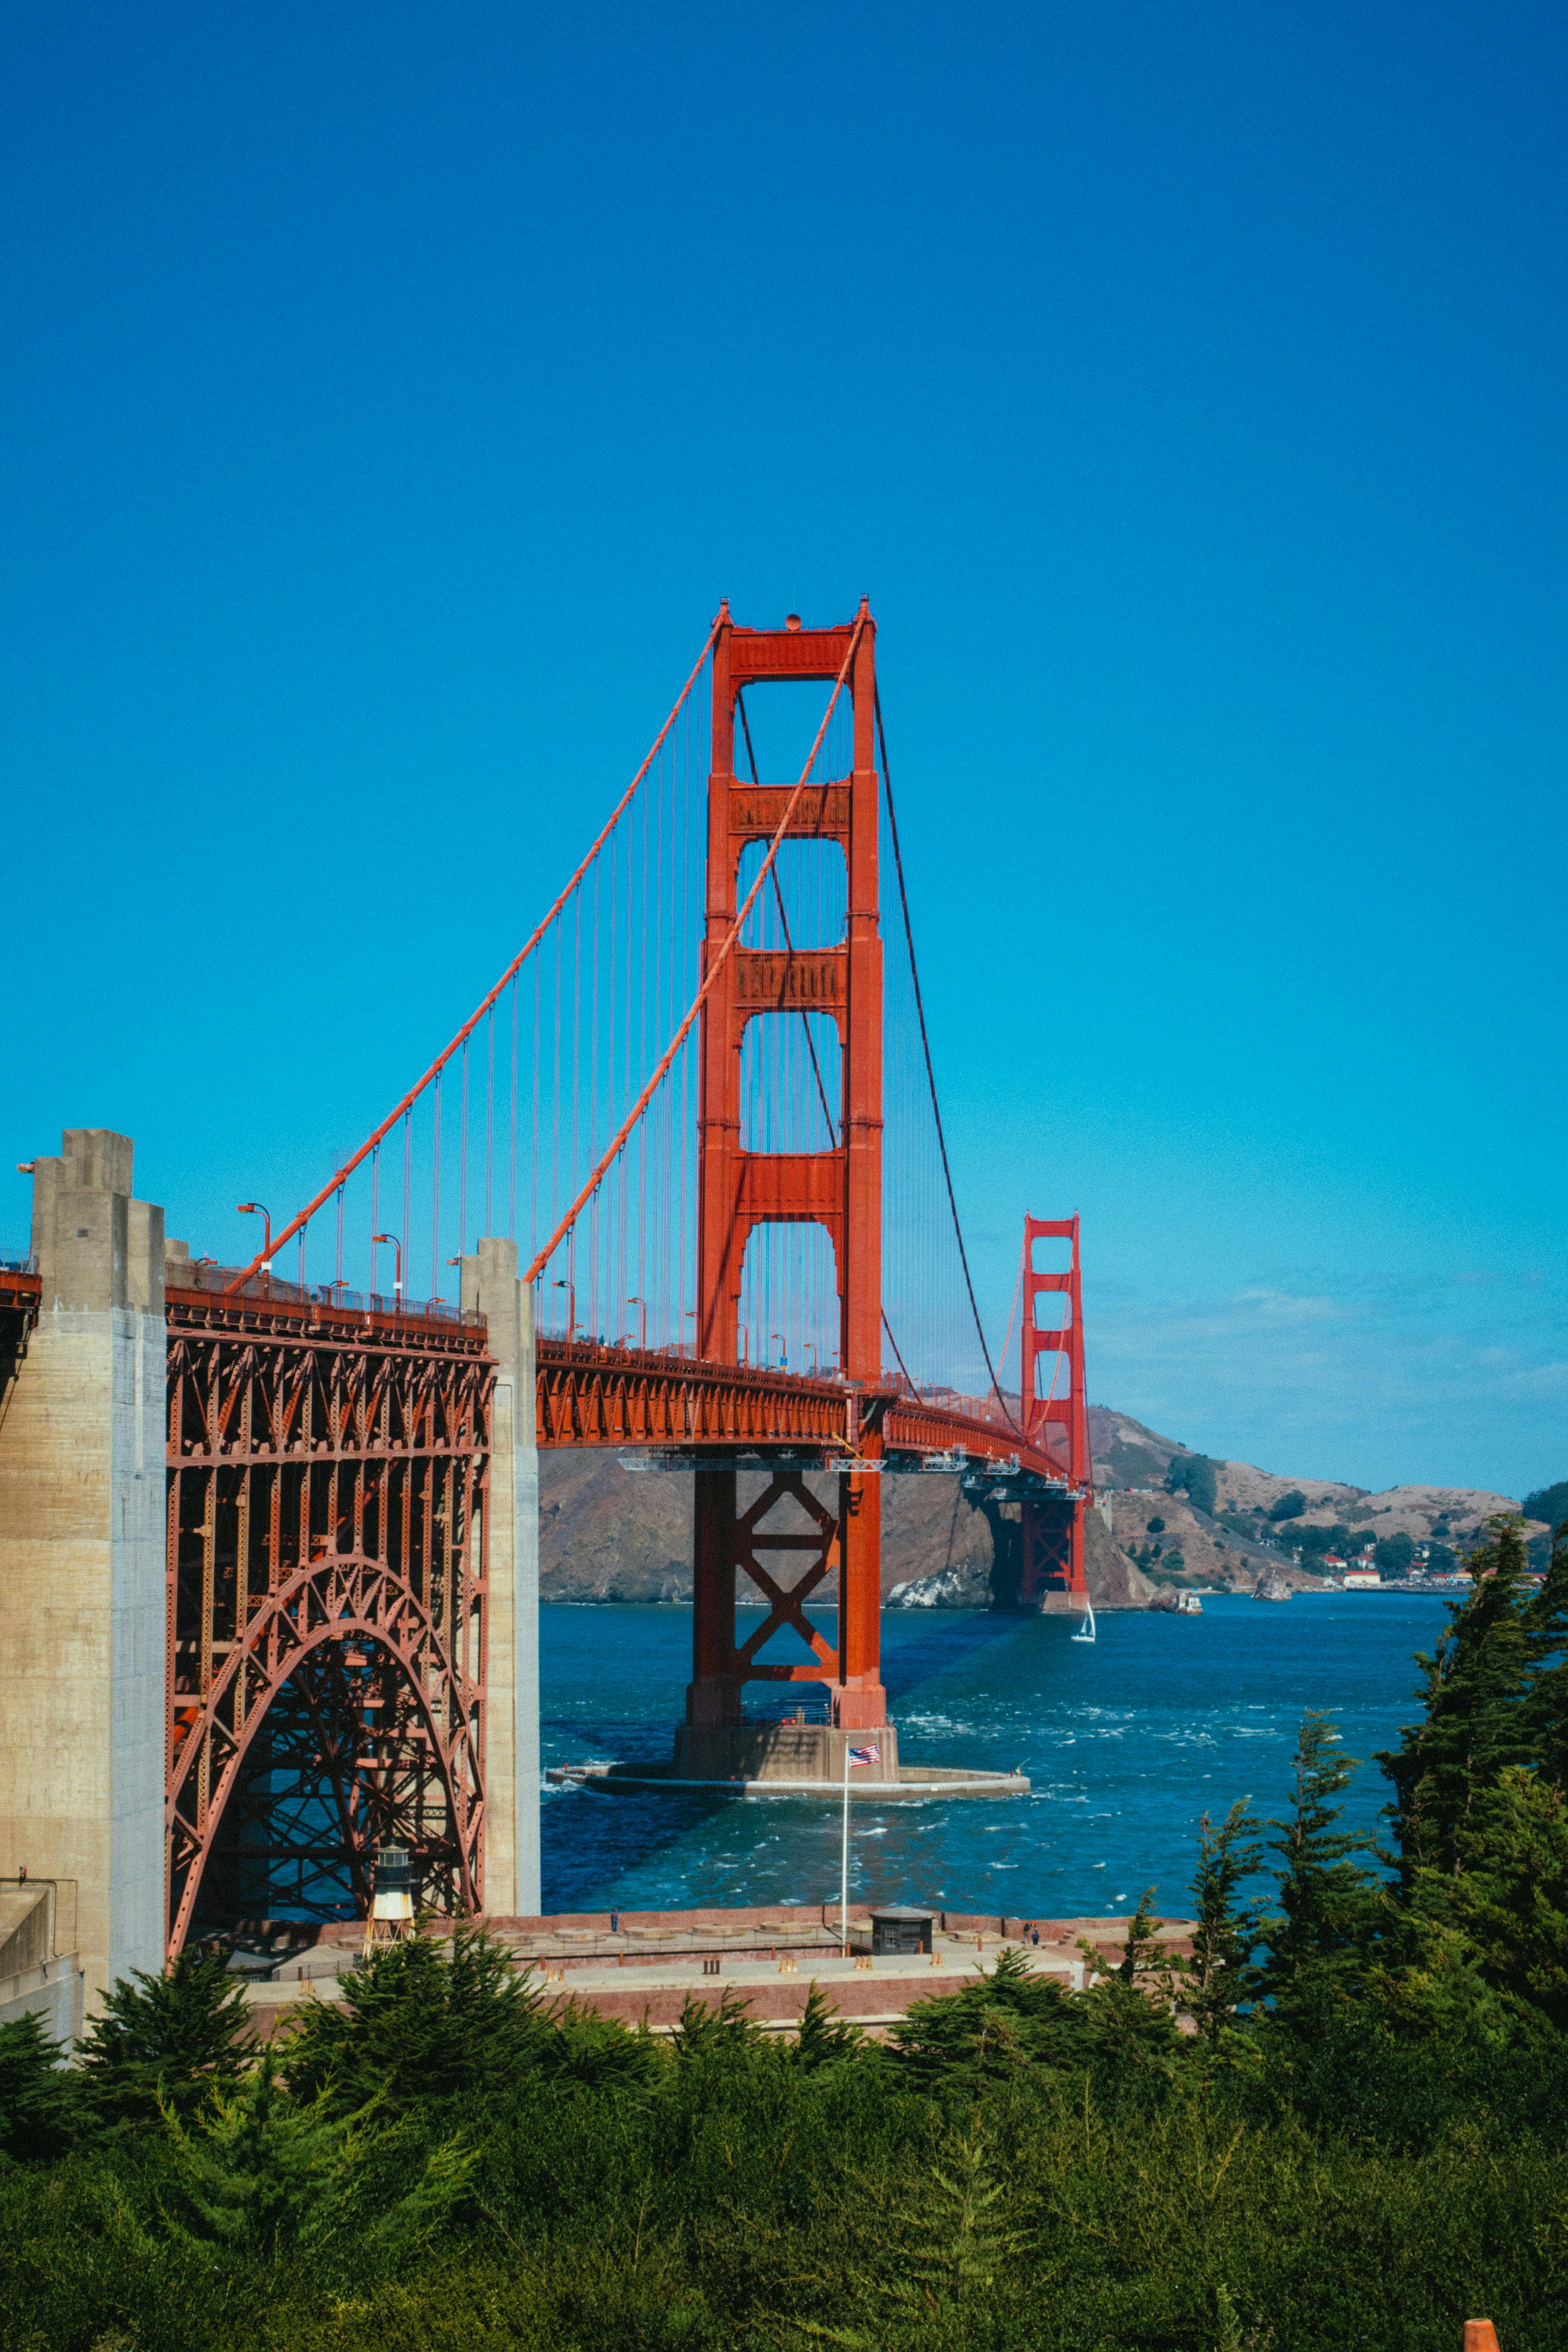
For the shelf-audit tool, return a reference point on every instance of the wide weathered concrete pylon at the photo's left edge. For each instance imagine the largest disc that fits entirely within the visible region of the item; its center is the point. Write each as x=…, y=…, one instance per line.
x=83, y=1704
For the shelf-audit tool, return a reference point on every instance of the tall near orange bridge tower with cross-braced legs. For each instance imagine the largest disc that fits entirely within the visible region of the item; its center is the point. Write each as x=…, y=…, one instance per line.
x=836, y=1189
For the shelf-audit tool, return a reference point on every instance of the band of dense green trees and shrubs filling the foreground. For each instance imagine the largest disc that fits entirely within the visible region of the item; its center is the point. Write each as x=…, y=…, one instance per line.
x=1341, y=2118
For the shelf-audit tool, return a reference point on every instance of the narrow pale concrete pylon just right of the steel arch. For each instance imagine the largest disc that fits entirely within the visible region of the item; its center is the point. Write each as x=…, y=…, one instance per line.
x=511, y=1723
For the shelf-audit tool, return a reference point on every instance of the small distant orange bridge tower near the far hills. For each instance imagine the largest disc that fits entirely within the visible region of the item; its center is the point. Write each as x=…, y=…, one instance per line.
x=1057, y=1424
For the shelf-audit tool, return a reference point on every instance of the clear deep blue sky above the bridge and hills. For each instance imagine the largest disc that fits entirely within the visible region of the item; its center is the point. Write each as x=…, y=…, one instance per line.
x=391, y=394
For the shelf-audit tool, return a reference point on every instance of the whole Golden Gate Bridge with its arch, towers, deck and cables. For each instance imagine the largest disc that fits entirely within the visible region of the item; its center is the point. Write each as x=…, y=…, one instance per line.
x=692, y=1158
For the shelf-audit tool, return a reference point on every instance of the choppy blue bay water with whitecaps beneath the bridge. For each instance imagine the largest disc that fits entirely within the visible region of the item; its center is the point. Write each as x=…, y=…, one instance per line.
x=1127, y=1744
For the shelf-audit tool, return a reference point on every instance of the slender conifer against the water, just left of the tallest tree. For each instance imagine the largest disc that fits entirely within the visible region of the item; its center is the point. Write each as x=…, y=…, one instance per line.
x=1329, y=1906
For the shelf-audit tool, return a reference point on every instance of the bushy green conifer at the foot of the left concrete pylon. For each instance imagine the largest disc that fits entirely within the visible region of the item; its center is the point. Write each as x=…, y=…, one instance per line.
x=166, y=2043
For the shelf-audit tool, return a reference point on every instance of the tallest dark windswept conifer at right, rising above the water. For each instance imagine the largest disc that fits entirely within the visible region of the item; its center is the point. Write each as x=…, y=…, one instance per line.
x=1475, y=1720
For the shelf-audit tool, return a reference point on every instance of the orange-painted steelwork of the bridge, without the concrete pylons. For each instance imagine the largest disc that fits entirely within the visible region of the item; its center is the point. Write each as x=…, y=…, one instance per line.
x=328, y=1452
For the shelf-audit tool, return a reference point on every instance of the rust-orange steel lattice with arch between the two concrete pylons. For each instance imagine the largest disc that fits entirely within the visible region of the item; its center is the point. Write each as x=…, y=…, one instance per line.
x=326, y=1624
